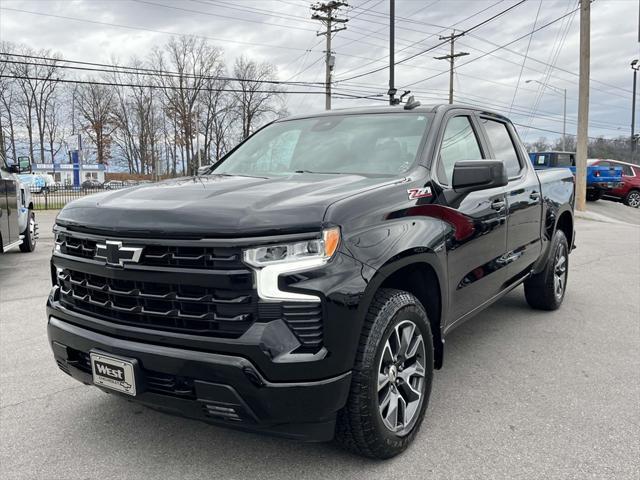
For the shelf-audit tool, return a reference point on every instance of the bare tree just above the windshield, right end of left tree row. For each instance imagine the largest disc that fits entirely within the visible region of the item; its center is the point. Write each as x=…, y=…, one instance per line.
x=256, y=100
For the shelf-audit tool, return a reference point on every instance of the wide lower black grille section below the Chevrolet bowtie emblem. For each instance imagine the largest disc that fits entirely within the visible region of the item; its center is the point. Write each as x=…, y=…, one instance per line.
x=163, y=306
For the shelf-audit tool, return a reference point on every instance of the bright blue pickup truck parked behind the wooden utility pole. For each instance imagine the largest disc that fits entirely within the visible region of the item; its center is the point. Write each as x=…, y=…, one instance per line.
x=600, y=179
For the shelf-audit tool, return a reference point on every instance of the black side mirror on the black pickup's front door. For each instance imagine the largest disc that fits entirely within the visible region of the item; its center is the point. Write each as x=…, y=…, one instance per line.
x=479, y=175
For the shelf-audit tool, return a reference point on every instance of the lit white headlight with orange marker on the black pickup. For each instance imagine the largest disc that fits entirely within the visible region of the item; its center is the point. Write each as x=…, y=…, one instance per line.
x=271, y=261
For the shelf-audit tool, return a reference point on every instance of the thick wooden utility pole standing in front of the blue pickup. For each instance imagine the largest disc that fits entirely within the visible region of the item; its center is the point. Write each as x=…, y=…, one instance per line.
x=583, y=105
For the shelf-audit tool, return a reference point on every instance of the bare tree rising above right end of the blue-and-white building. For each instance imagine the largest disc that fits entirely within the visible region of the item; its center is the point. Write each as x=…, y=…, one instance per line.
x=95, y=103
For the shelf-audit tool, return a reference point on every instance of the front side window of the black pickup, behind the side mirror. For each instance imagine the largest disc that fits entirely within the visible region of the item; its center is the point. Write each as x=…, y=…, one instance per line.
x=458, y=143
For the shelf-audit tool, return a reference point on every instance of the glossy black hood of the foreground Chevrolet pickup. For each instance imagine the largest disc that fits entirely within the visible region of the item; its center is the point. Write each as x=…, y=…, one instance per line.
x=217, y=206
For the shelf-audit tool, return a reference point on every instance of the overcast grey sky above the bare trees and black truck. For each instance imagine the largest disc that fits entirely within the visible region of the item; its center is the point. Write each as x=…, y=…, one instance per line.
x=281, y=32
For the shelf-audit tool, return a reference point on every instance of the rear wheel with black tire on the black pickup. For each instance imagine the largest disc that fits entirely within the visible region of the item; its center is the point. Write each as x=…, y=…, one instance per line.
x=541, y=290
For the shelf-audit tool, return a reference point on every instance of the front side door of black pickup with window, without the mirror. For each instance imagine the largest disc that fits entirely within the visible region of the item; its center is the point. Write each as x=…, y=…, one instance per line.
x=476, y=239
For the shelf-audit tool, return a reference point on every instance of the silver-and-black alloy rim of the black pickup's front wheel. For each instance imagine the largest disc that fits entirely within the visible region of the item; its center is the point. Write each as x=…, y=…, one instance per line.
x=401, y=377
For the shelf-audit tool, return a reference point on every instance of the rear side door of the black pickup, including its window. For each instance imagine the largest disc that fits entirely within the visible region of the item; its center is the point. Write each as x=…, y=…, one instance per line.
x=524, y=198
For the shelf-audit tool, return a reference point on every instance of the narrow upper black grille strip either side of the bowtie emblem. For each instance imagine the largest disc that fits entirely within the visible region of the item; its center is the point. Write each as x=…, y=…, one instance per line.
x=198, y=257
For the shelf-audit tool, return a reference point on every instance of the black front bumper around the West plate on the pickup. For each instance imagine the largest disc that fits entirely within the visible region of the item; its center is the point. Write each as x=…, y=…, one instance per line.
x=217, y=388
